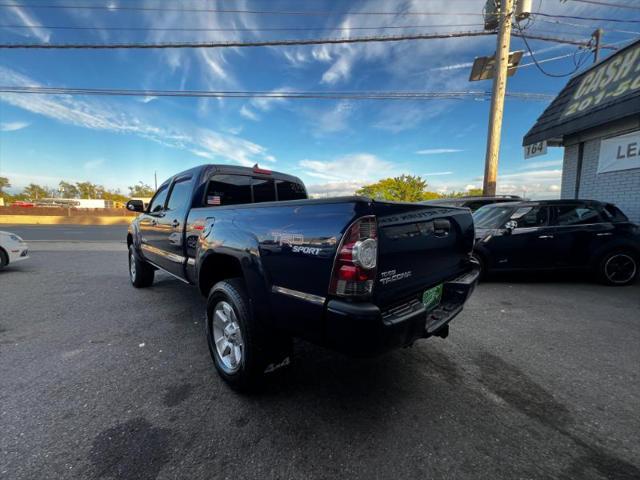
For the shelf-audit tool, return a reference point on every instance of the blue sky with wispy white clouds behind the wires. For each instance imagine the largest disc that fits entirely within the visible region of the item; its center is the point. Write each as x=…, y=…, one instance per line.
x=334, y=146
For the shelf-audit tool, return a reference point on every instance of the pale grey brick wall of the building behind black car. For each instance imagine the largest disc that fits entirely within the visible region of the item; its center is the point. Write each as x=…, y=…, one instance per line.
x=621, y=188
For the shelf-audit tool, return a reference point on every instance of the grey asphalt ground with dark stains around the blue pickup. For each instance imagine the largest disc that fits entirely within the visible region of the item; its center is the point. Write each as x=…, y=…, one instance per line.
x=538, y=379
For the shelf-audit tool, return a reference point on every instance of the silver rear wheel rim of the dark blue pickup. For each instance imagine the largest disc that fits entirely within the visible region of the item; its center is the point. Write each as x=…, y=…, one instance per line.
x=227, y=337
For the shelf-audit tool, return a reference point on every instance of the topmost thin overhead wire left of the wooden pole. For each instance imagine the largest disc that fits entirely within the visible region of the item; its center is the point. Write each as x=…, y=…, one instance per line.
x=243, y=11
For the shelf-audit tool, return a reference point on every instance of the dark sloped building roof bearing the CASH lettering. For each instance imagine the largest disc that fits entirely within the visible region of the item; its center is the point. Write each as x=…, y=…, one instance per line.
x=608, y=91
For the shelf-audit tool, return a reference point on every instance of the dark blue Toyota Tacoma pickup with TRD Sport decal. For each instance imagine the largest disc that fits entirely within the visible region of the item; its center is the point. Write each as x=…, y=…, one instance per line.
x=357, y=275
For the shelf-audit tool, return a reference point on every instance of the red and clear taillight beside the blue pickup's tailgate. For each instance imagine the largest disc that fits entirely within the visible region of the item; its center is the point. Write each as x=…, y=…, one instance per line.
x=354, y=270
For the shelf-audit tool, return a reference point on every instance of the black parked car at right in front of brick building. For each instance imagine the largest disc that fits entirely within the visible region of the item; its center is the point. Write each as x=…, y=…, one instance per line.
x=558, y=234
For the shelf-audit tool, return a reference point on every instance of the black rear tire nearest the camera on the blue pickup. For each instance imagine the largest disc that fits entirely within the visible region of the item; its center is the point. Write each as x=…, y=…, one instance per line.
x=263, y=350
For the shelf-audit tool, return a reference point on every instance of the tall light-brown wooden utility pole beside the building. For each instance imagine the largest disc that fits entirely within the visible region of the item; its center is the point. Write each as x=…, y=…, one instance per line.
x=497, y=97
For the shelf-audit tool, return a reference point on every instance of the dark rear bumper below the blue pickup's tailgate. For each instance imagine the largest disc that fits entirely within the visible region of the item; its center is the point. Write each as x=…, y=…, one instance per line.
x=362, y=329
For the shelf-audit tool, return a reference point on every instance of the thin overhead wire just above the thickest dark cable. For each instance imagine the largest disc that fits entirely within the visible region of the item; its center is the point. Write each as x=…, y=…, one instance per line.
x=269, y=29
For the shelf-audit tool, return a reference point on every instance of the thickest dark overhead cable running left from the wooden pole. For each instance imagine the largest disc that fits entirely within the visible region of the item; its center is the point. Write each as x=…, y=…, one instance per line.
x=236, y=43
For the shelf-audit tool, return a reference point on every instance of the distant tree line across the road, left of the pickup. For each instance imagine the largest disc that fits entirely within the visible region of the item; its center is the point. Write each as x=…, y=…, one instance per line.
x=78, y=190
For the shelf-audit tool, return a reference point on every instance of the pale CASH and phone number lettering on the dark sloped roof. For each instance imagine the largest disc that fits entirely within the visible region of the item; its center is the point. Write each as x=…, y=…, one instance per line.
x=608, y=81
